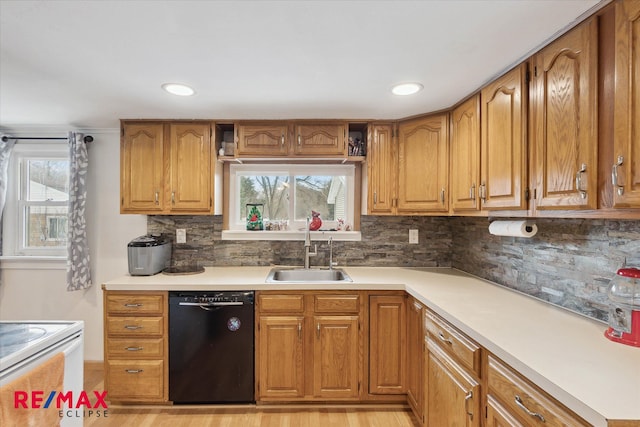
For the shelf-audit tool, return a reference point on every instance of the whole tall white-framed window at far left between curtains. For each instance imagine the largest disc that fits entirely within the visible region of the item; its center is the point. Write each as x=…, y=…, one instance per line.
x=35, y=217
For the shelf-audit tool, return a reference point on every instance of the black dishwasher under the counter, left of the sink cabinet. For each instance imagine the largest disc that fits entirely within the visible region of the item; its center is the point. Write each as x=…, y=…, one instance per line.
x=211, y=353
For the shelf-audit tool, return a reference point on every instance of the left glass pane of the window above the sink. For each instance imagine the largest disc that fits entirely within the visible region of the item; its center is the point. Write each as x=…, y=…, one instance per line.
x=270, y=190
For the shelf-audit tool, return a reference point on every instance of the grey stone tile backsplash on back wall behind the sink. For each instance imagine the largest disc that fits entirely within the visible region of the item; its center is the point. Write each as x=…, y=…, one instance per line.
x=384, y=243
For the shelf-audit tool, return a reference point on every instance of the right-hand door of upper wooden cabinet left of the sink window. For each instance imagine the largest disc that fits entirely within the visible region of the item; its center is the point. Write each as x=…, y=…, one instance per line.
x=191, y=175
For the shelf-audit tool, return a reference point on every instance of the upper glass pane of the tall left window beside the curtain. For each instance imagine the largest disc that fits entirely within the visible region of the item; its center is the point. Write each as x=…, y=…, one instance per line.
x=47, y=180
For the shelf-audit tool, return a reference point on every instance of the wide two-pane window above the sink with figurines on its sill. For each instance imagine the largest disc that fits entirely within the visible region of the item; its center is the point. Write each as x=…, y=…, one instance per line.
x=286, y=195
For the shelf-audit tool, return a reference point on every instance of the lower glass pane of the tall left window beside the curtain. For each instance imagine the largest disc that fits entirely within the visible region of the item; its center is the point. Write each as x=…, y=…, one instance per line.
x=45, y=226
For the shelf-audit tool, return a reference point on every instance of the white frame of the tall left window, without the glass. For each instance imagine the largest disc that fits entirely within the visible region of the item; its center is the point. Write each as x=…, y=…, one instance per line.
x=13, y=221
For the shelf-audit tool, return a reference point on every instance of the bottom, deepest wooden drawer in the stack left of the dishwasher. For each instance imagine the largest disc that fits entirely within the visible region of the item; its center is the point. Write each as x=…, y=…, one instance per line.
x=136, y=379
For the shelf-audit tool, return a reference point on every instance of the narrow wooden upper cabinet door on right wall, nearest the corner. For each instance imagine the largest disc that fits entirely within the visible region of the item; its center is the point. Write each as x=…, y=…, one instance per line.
x=465, y=156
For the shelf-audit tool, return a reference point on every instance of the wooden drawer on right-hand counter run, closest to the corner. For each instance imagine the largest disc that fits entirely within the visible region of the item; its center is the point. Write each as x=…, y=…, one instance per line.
x=462, y=348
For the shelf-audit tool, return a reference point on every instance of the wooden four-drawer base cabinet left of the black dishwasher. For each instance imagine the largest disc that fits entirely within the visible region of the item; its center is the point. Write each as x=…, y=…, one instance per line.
x=136, y=346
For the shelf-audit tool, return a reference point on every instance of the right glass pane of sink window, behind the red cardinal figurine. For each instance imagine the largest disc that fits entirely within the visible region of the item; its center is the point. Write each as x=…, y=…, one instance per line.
x=323, y=194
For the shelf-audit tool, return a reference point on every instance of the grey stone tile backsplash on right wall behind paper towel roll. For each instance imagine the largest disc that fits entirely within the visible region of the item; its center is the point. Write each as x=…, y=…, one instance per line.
x=569, y=262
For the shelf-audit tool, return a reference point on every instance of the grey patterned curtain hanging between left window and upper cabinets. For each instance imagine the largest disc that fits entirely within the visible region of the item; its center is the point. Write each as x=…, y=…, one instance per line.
x=78, y=270
